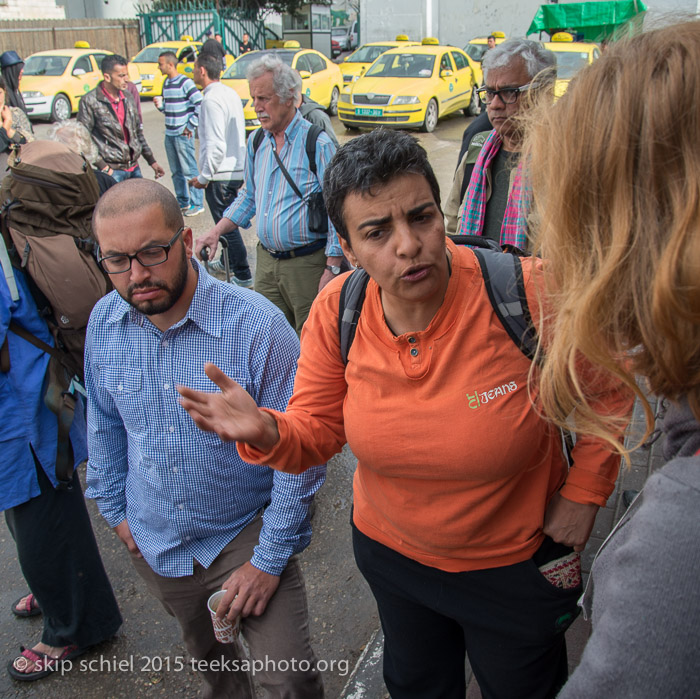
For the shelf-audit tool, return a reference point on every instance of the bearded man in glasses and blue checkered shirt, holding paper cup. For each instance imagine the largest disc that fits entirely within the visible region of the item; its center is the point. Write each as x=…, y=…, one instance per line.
x=195, y=517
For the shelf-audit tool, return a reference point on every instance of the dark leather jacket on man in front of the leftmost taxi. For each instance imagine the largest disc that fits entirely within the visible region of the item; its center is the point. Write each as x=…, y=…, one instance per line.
x=98, y=116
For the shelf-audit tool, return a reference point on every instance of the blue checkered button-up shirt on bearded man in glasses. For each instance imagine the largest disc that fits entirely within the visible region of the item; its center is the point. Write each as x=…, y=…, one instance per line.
x=184, y=492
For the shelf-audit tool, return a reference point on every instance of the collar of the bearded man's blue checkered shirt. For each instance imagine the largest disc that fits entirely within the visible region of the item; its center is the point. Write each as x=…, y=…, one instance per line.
x=205, y=311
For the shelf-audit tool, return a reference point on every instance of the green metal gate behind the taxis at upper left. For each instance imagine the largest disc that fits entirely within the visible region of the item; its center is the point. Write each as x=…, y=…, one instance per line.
x=195, y=19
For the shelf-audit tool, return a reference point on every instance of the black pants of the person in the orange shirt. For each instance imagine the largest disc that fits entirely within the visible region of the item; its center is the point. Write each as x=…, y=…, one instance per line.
x=510, y=621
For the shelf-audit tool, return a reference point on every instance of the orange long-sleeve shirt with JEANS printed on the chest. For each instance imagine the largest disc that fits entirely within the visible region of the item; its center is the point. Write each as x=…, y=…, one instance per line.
x=455, y=468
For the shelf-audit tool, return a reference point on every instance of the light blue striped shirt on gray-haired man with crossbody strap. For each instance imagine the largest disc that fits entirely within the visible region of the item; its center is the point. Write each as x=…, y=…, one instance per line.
x=282, y=217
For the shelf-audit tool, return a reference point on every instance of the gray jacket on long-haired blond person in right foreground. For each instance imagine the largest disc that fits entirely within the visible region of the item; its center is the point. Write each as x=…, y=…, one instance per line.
x=645, y=594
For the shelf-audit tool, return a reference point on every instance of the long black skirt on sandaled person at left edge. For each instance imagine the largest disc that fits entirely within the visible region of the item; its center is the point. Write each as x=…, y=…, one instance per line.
x=61, y=563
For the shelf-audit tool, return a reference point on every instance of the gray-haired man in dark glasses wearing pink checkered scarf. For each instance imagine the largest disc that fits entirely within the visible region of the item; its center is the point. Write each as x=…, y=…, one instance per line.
x=488, y=188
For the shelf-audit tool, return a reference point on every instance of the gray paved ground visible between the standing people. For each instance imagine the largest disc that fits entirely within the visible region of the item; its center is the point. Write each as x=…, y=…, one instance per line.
x=135, y=664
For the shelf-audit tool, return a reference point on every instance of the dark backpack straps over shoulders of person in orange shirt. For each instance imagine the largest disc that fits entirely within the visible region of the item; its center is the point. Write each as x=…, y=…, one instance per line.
x=503, y=277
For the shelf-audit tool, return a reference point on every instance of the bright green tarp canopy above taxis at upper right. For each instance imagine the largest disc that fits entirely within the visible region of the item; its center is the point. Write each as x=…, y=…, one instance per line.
x=595, y=20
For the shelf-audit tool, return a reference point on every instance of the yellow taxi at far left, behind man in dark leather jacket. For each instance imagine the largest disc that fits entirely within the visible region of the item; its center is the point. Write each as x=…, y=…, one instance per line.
x=54, y=81
